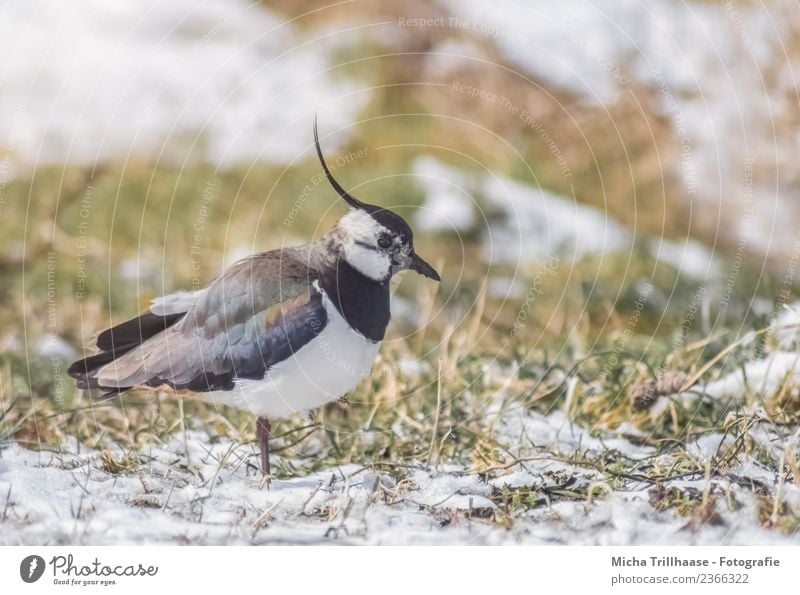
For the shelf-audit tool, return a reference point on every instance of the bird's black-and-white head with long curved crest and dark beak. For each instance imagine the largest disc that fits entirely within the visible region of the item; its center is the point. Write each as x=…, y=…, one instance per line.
x=374, y=240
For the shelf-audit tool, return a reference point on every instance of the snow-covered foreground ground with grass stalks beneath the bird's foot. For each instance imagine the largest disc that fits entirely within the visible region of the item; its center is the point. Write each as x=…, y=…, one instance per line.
x=67, y=498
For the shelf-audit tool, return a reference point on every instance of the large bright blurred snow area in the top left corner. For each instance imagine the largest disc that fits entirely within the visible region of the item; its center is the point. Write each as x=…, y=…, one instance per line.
x=223, y=79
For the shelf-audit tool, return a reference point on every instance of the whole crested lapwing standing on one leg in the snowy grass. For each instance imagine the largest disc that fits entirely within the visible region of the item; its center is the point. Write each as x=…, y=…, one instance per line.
x=277, y=332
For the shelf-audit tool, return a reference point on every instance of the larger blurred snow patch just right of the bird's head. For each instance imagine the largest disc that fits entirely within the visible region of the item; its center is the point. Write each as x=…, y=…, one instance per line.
x=533, y=225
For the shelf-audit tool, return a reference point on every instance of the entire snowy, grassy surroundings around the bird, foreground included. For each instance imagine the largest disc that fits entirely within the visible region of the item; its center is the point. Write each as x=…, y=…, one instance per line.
x=608, y=188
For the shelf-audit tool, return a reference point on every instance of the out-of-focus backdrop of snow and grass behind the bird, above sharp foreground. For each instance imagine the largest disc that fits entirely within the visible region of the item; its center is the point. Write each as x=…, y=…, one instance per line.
x=584, y=173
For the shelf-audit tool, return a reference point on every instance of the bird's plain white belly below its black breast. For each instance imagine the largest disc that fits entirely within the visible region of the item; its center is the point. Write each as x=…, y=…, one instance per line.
x=321, y=371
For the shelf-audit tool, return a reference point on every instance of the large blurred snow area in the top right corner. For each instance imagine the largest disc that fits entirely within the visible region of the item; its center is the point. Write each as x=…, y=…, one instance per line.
x=719, y=70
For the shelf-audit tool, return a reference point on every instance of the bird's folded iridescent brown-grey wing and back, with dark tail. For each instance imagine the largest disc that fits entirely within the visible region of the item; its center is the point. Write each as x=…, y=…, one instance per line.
x=258, y=313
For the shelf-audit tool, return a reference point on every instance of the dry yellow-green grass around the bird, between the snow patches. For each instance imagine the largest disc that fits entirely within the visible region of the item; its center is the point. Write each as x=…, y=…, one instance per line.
x=577, y=352
